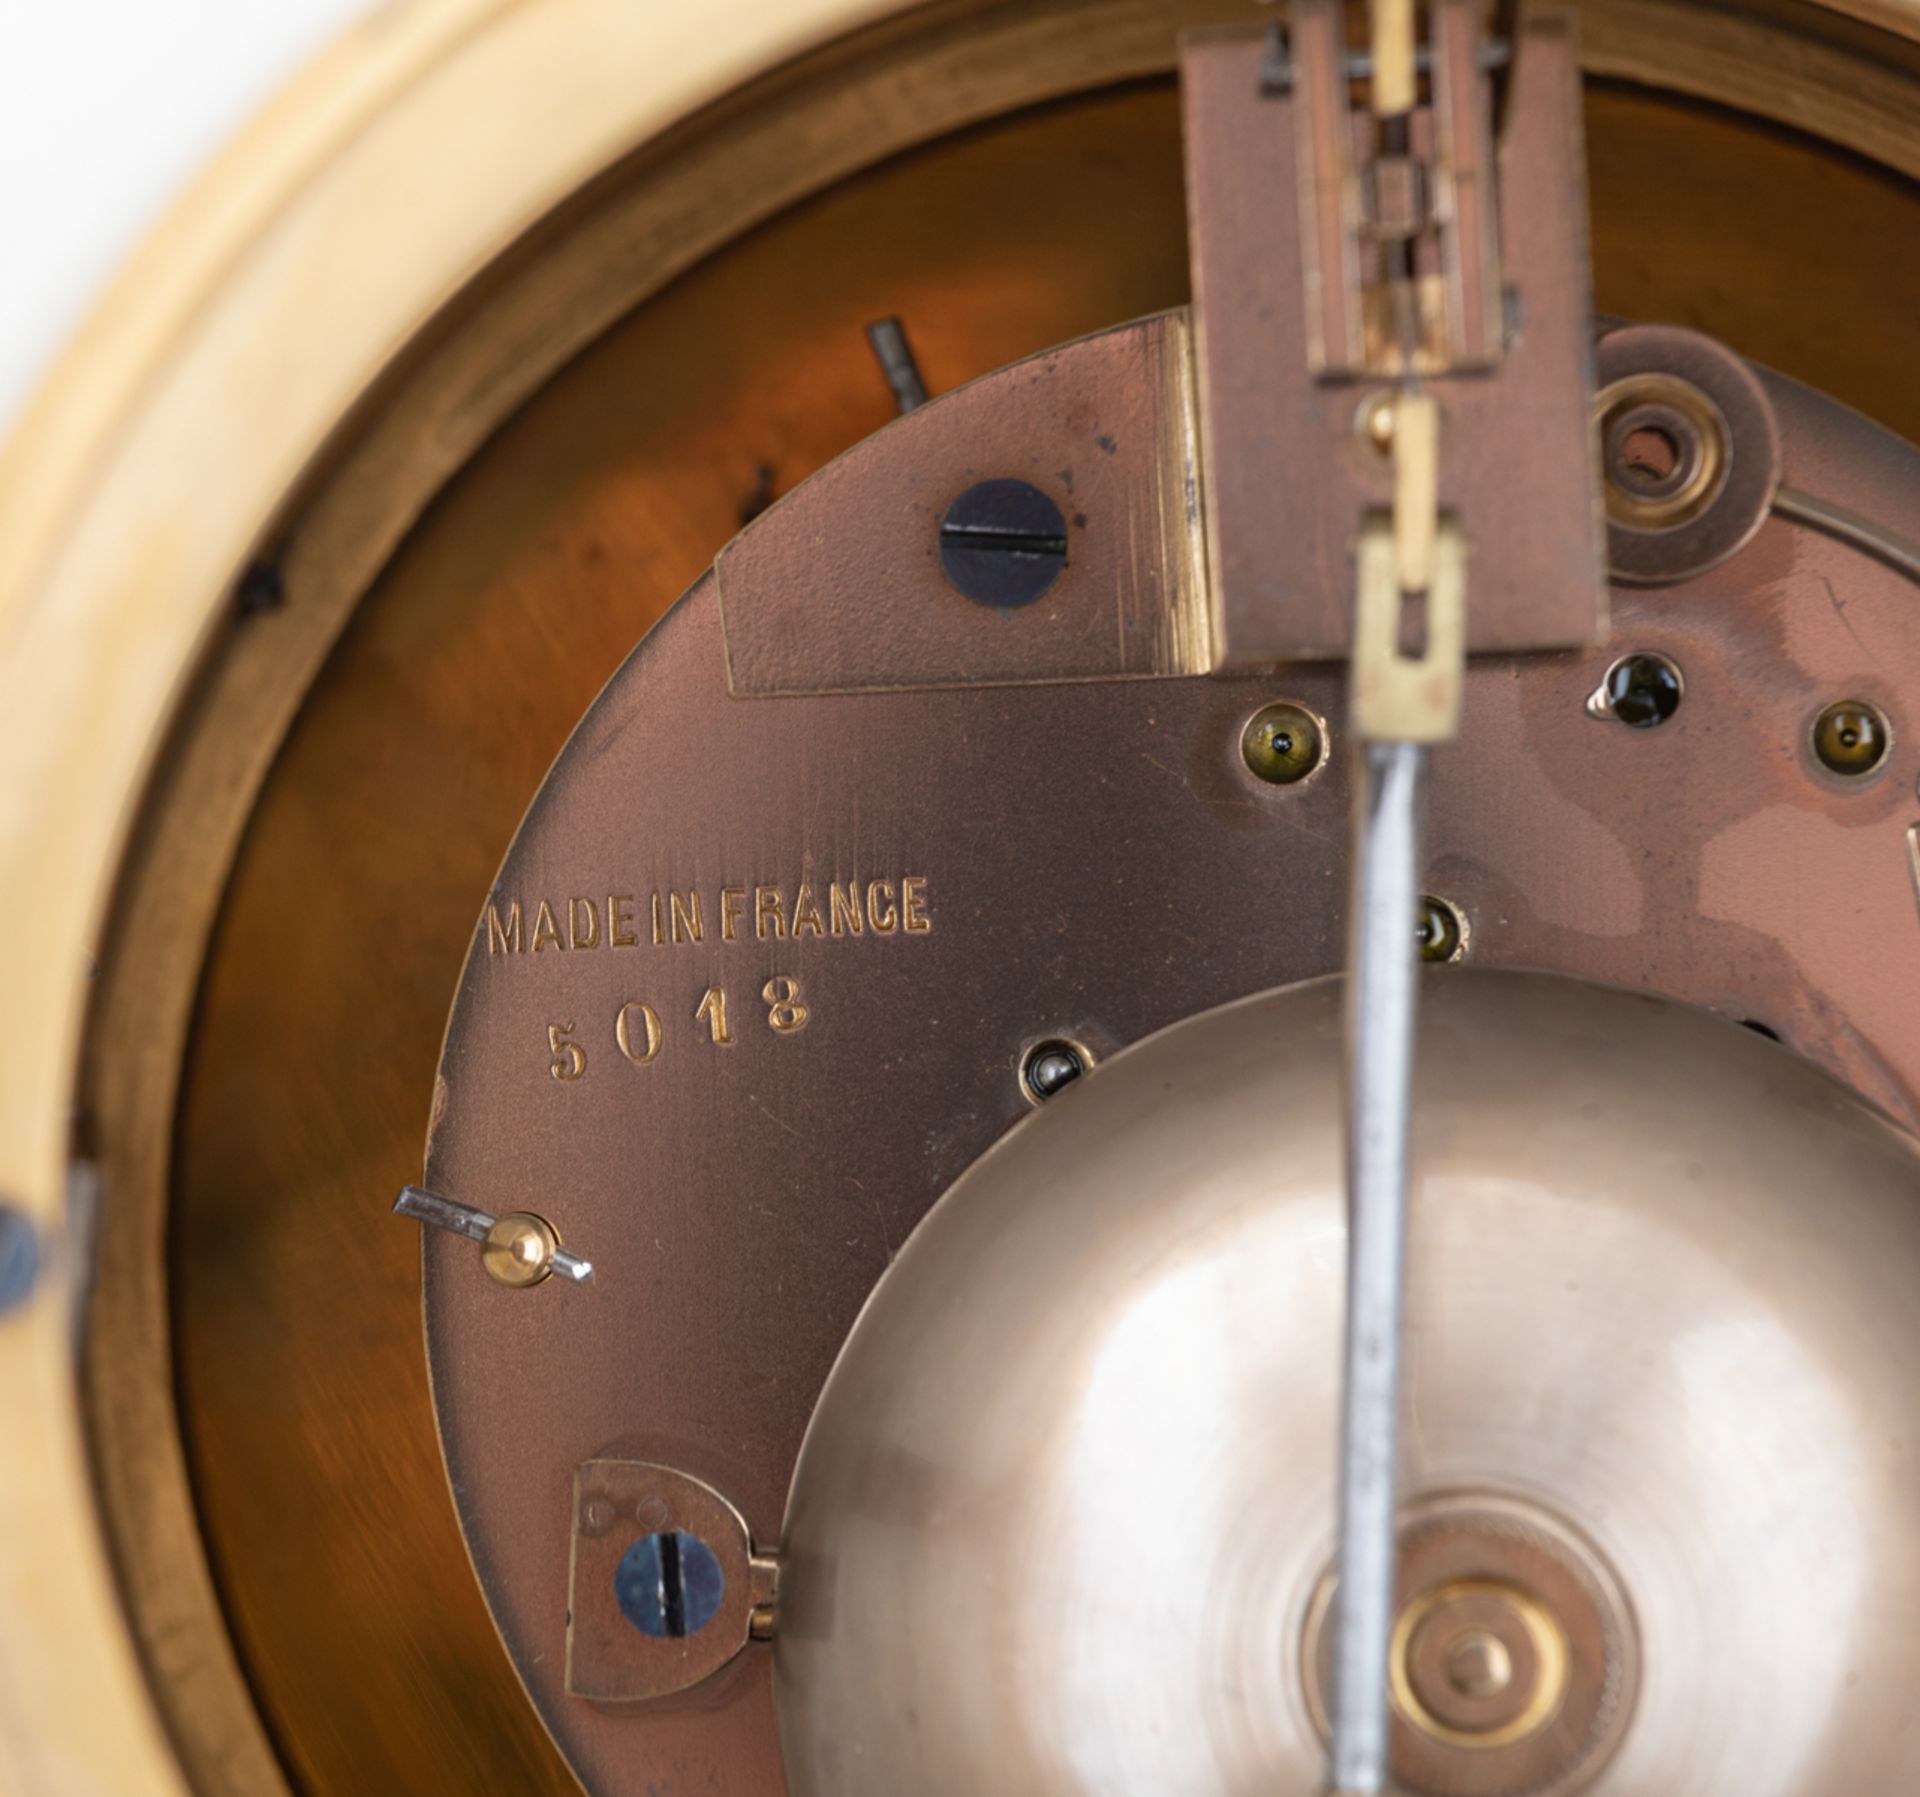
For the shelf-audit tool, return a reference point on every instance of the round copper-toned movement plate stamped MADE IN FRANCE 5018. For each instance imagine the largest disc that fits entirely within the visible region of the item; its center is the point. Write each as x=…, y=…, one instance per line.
x=844, y=851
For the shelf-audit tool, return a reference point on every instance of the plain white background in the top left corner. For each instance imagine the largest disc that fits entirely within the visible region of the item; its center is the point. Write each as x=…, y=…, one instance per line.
x=107, y=110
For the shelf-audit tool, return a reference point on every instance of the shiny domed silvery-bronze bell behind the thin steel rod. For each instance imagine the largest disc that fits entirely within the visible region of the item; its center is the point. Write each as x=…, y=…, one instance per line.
x=1065, y=1504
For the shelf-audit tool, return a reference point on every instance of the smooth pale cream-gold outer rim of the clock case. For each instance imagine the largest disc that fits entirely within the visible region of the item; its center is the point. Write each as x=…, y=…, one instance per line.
x=130, y=494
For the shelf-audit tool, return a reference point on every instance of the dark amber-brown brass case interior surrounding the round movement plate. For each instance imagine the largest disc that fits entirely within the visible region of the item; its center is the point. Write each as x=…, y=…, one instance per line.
x=387, y=1673
